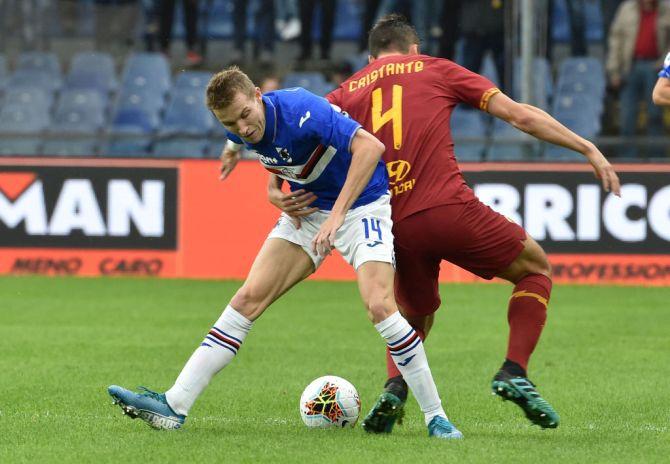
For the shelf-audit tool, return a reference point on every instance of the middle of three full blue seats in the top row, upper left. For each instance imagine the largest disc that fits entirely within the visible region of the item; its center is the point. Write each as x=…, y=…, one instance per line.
x=92, y=70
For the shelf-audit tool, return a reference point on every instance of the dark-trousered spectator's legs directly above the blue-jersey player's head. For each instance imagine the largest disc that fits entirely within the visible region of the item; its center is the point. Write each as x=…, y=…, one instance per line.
x=265, y=33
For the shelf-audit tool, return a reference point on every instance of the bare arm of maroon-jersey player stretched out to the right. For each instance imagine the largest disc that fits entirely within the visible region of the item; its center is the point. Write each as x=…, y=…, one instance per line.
x=541, y=125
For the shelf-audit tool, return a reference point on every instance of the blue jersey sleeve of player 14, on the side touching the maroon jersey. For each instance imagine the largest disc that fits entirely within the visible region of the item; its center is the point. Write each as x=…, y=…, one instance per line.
x=327, y=123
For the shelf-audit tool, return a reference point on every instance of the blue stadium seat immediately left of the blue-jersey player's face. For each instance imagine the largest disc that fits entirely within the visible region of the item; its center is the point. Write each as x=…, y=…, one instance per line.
x=187, y=114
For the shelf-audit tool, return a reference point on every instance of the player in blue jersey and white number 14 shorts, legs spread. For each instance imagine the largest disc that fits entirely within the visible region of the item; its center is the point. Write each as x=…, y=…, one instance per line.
x=319, y=151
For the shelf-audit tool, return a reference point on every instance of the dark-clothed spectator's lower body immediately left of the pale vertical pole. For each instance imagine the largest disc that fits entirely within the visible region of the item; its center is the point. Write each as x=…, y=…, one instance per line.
x=482, y=29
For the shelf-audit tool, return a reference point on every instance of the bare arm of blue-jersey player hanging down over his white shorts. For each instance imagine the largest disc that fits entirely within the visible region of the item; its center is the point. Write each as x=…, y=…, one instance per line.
x=366, y=151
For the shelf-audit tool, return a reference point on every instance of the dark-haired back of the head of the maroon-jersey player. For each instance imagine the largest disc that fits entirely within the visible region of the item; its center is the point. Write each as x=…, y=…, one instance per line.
x=392, y=33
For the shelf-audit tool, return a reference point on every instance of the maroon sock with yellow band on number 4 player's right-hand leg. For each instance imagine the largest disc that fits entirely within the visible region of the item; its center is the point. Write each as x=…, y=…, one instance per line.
x=526, y=314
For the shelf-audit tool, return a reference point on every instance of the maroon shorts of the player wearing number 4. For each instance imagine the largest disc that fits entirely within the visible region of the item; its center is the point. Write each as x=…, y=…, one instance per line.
x=470, y=235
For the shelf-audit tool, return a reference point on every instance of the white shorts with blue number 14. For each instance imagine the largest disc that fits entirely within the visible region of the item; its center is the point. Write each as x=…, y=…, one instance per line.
x=365, y=235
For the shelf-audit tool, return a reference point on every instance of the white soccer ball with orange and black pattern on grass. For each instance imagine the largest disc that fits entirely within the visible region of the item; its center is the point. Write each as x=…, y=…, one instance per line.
x=330, y=401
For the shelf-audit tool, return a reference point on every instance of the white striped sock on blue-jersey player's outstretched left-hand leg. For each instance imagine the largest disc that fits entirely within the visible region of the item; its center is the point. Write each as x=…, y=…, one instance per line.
x=215, y=352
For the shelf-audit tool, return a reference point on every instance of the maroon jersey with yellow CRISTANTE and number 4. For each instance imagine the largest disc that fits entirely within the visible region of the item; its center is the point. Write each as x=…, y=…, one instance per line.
x=406, y=101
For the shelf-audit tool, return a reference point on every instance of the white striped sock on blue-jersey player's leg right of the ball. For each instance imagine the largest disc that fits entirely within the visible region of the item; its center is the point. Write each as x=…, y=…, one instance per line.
x=408, y=353
